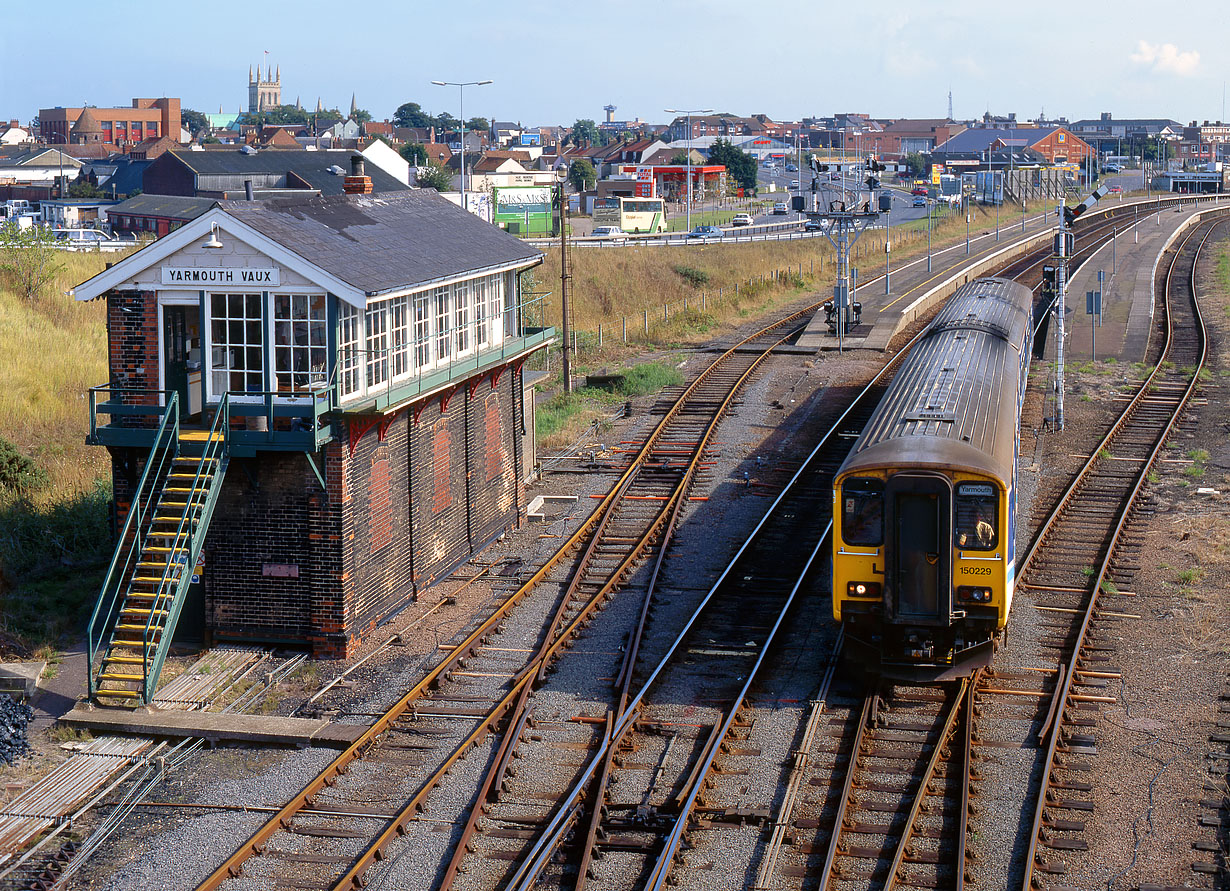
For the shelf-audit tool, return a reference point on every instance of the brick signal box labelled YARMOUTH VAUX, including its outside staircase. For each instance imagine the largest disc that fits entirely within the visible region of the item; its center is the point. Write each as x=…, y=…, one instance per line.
x=315, y=409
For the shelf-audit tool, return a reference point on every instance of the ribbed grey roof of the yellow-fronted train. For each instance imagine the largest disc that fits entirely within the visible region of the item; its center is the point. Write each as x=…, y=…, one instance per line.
x=954, y=404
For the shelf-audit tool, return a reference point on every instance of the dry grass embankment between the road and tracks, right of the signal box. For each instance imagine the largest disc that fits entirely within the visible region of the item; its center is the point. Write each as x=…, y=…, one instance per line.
x=667, y=298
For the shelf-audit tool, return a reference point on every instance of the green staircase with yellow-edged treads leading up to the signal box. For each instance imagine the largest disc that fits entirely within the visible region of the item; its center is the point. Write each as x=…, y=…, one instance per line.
x=148, y=580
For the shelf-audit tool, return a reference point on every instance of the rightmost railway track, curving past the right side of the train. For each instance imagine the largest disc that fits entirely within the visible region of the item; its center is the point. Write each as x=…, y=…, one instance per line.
x=1077, y=570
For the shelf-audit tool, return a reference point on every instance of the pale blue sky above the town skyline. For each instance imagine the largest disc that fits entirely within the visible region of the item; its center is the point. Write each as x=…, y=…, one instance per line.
x=557, y=62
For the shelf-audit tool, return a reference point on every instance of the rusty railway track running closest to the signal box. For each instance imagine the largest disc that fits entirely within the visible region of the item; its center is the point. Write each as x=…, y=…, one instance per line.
x=387, y=777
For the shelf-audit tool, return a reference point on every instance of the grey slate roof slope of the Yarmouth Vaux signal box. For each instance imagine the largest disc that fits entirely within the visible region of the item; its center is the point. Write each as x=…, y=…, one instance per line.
x=384, y=243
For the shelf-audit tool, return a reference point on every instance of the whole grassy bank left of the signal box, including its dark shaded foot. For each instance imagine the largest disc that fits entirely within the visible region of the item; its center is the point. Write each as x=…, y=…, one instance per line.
x=55, y=533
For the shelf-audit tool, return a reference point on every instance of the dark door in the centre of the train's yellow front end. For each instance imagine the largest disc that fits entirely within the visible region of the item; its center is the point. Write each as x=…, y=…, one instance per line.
x=921, y=535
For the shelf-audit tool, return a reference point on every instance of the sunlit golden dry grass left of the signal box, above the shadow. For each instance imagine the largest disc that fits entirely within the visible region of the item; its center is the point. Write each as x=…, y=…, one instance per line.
x=55, y=350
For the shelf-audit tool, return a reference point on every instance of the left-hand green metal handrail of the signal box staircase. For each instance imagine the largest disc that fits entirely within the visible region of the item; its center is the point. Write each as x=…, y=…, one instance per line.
x=136, y=525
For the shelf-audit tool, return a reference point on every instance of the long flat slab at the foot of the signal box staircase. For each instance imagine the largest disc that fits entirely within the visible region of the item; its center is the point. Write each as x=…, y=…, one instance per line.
x=269, y=730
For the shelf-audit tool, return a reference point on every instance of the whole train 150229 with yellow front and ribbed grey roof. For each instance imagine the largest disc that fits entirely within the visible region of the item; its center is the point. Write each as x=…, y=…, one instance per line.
x=924, y=508
